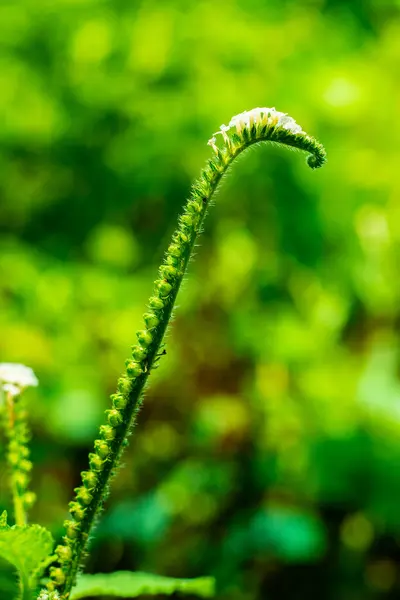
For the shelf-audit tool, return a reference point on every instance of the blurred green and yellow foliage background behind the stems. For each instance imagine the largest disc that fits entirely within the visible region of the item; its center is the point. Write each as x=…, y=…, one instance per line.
x=268, y=449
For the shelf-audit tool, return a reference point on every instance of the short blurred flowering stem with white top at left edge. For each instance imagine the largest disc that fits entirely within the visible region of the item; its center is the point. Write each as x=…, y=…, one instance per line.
x=14, y=379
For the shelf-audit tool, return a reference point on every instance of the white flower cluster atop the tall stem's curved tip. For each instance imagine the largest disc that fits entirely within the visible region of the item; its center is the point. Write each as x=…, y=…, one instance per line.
x=259, y=117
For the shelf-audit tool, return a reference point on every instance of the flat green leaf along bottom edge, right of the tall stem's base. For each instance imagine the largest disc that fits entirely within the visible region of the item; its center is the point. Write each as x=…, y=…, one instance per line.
x=127, y=584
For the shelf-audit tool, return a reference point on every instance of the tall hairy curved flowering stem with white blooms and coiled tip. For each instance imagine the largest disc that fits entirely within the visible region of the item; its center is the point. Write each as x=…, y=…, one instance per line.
x=258, y=125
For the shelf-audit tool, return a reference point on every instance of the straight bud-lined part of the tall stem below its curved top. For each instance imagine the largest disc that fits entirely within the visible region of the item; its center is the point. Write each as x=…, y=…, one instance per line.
x=125, y=402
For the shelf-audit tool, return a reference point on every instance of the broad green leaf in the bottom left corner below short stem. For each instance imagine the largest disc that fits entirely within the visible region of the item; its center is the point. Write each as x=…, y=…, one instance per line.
x=25, y=547
